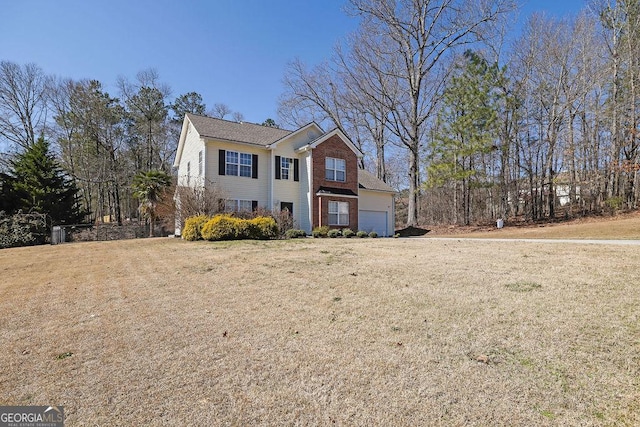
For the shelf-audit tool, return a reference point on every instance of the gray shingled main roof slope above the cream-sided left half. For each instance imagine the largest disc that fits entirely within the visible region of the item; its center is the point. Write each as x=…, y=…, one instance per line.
x=249, y=133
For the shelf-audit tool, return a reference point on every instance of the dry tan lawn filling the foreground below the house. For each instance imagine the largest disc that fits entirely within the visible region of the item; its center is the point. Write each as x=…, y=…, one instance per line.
x=353, y=332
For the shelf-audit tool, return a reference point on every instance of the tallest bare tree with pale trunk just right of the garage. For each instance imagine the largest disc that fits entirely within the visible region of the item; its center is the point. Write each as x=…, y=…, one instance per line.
x=417, y=36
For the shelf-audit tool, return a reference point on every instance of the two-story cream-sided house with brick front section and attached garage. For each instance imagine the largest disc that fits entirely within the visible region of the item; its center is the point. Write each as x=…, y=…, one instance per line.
x=311, y=173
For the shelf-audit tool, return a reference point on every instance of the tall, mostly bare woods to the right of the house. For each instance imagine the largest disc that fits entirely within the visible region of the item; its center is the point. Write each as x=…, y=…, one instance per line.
x=476, y=123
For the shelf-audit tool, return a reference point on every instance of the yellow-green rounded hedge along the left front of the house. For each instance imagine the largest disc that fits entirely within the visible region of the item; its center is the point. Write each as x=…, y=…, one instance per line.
x=227, y=227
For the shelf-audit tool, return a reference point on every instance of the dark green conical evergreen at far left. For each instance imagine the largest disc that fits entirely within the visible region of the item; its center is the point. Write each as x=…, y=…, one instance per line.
x=41, y=185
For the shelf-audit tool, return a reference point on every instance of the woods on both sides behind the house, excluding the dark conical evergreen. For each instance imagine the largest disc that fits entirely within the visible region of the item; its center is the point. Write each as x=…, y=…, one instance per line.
x=470, y=122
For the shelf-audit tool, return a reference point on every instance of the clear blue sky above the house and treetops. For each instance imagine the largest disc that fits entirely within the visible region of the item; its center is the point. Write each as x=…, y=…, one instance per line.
x=230, y=51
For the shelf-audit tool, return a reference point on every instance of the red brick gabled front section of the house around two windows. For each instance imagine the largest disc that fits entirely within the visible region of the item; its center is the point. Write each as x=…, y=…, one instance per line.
x=336, y=148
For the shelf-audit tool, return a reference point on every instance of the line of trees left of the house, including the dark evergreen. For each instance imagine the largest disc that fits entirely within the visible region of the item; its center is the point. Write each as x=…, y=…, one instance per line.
x=110, y=156
